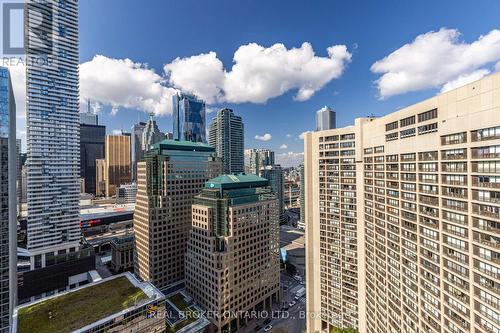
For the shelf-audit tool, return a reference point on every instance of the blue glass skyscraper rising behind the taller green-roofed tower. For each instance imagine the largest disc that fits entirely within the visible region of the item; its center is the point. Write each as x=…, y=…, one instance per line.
x=189, y=118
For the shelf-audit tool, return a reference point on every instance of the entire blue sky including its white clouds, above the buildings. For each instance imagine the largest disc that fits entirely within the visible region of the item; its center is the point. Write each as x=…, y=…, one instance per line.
x=275, y=63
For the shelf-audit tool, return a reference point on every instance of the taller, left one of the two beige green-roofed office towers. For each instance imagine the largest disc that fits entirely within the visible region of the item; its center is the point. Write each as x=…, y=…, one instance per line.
x=169, y=176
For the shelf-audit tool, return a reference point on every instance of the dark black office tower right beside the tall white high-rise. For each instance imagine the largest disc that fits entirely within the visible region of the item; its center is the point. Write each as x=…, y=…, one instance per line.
x=92, y=137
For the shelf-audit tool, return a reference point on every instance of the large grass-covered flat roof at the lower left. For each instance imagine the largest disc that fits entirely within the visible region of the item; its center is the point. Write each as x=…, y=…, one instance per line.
x=84, y=306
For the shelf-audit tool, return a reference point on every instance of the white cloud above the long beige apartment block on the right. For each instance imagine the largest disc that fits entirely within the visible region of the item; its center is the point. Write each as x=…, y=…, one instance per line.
x=434, y=59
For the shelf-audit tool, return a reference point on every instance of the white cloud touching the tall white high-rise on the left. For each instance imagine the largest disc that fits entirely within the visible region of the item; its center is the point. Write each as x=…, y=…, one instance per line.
x=124, y=83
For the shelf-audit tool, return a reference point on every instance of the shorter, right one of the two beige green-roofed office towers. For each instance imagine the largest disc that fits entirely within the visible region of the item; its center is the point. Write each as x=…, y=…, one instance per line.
x=232, y=260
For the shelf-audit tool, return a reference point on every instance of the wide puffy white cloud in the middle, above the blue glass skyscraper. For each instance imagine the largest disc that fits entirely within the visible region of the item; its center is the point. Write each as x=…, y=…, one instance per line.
x=258, y=73
